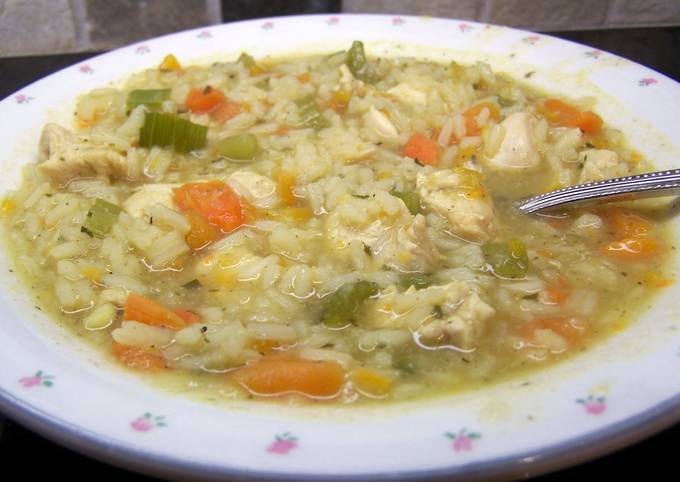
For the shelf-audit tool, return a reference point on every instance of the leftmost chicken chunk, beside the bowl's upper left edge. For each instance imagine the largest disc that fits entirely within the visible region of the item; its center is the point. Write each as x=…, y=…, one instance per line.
x=65, y=157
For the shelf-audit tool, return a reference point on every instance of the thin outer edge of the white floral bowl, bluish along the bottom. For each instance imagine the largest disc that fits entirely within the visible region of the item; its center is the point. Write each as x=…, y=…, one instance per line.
x=560, y=455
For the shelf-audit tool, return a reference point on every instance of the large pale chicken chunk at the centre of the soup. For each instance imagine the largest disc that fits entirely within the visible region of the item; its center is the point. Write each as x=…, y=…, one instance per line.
x=386, y=228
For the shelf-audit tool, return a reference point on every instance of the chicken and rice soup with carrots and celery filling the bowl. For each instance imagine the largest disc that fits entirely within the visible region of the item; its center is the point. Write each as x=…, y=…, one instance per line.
x=333, y=227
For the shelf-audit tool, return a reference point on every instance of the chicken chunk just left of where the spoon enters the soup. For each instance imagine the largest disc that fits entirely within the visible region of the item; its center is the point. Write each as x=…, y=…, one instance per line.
x=459, y=197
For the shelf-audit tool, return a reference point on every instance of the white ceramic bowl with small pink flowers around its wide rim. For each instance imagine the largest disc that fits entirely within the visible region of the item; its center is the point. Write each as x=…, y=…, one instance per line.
x=624, y=389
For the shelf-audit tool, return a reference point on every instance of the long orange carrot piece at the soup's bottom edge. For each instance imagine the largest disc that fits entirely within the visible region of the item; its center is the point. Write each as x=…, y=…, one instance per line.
x=281, y=375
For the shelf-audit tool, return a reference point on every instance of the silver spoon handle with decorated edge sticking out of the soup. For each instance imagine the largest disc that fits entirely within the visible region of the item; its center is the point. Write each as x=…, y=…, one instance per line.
x=652, y=184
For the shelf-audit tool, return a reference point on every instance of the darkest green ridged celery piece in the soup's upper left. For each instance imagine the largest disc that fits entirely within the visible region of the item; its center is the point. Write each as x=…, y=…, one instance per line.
x=170, y=130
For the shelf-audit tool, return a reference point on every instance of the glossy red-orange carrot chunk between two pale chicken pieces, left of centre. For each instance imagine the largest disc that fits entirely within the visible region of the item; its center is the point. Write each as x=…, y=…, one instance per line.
x=213, y=200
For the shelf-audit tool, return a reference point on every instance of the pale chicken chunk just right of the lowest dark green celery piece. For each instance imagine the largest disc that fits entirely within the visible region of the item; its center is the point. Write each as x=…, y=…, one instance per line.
x=450, y=314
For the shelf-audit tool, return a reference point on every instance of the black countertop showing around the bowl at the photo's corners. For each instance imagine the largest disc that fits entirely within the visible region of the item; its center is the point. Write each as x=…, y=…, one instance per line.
x=655, y=48
